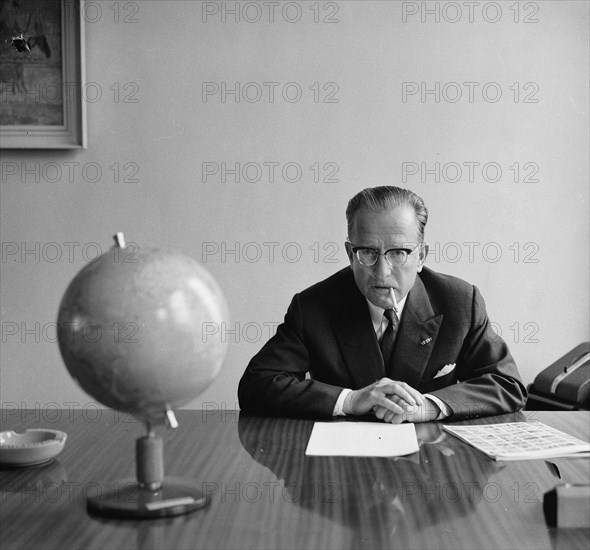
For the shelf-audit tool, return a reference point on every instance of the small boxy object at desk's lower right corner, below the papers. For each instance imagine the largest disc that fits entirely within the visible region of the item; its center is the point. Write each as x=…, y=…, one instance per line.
x=568, y=505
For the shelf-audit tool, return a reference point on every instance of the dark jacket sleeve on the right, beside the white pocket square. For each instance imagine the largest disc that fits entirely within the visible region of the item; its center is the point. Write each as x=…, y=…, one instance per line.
x=489, y=383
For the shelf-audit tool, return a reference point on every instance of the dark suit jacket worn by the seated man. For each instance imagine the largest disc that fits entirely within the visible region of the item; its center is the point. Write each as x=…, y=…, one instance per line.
x=328, y=333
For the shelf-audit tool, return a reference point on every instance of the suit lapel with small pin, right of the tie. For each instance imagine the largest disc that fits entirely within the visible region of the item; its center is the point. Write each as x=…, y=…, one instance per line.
x=415, y=338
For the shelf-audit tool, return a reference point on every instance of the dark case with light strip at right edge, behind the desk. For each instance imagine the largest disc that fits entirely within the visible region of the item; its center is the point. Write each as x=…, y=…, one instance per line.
x=564, y=385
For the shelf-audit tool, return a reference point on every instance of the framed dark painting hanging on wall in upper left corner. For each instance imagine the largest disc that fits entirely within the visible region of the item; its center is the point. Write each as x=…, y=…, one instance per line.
x=42, y=75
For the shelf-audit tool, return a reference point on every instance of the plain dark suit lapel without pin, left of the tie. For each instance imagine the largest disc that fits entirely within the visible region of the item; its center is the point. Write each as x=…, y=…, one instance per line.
x=356, y=338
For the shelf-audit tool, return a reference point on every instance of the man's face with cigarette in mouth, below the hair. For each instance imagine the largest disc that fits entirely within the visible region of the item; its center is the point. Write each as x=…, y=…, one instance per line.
x=382, y=231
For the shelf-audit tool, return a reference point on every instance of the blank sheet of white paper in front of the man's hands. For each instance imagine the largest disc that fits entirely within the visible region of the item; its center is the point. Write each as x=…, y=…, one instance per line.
x=361, y=439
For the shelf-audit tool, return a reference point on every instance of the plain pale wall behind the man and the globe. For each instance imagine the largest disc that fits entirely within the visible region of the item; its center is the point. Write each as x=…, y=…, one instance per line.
x=529, y=239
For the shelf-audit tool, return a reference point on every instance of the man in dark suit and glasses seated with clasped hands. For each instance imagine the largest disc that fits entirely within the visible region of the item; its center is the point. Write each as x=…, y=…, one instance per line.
x=386, y=336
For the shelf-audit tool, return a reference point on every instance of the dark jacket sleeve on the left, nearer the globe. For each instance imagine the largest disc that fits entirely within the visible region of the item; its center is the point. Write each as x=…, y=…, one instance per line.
x=275, y=382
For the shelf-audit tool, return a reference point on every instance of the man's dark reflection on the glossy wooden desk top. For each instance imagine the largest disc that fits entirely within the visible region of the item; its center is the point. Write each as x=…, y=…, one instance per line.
x=383, y=501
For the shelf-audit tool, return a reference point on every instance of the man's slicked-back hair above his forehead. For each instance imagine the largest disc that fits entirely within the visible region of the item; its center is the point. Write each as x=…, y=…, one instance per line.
x=387, y=197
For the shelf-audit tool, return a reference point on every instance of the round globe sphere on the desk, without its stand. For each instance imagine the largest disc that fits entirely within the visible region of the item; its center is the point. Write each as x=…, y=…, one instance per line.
x=137, y=331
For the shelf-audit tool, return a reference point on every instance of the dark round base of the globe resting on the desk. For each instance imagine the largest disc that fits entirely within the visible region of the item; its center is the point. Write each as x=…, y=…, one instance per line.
x=130, y=500
